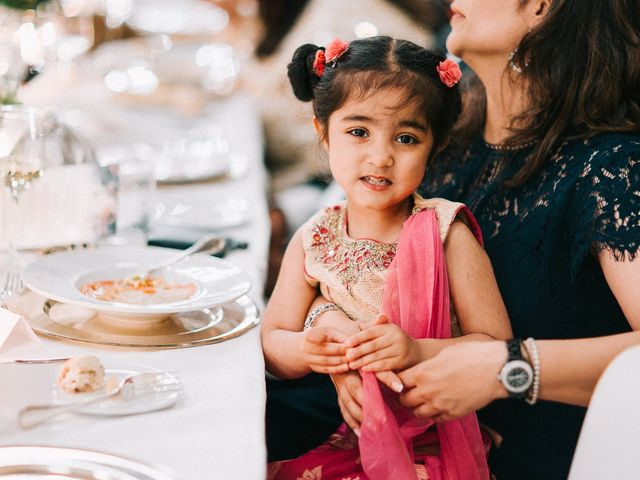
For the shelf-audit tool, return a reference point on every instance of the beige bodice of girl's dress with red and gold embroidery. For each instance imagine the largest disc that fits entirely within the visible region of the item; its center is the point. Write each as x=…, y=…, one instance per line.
x=350, y=272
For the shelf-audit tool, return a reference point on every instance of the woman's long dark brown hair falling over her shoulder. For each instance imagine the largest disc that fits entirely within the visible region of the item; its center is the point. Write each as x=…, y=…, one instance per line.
x=582, y=67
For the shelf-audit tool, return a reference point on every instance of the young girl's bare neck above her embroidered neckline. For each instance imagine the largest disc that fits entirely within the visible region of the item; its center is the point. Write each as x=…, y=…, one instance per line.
x=379, y=225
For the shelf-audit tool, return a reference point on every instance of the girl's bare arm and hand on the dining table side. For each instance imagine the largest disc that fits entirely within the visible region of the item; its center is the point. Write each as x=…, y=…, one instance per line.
x=288, y=351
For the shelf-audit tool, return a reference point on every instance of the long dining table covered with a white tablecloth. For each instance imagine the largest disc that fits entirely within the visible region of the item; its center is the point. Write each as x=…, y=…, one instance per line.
x=215, y=429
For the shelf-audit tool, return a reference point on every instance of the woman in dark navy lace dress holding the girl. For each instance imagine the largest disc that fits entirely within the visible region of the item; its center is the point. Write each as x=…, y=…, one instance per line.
x=550, y=166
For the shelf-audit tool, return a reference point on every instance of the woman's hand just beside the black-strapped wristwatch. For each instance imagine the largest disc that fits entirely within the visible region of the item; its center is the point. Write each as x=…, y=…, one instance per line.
x=457, y=381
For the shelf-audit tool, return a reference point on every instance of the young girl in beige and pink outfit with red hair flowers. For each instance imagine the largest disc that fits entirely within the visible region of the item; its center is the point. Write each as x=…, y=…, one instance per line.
x=383, y=108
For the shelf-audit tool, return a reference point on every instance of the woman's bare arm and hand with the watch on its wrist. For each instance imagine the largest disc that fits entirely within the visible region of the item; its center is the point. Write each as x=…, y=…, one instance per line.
x=462, y=378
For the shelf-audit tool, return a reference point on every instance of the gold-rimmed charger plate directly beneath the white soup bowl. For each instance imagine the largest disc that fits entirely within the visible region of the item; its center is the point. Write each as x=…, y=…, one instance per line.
x=181, y=330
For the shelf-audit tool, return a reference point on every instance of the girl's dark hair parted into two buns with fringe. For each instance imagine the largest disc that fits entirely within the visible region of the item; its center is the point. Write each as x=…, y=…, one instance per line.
x=376, y=63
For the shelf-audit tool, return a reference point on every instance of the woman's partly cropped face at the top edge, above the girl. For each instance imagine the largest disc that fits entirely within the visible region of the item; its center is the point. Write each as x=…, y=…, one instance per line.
x=483, y=29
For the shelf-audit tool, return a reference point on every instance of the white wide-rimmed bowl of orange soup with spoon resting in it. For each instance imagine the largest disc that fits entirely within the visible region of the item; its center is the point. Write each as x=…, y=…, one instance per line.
x=60, y=276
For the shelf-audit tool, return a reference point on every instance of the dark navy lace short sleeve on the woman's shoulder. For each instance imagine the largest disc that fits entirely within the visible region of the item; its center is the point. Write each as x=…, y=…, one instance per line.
x=605, y=211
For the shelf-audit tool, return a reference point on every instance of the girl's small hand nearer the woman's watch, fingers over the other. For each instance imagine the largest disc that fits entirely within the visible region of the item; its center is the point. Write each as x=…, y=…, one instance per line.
x=382, y=346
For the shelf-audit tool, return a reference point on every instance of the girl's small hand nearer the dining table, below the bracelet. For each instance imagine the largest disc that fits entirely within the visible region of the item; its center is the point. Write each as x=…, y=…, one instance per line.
x=323, y=350
